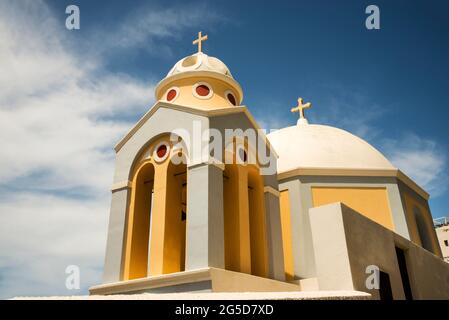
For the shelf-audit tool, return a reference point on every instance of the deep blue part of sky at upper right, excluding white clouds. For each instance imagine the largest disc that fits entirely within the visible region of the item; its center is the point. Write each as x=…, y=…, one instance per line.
x=395, y=78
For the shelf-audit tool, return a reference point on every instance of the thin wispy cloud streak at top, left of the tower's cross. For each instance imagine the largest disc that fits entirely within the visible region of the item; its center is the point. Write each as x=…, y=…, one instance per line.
x=143, y=27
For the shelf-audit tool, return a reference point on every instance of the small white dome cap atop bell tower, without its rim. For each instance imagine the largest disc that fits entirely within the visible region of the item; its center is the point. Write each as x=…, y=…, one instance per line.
x=200, y=62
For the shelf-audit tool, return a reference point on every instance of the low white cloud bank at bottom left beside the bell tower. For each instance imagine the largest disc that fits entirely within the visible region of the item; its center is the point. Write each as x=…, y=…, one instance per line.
x=42, y=234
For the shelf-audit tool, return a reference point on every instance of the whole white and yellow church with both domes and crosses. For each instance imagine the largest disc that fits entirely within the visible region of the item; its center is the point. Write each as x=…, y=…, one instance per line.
x=331, y=212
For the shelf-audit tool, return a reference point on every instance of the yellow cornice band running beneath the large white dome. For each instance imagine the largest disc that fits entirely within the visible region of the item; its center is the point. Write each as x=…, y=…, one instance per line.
x=396, y=173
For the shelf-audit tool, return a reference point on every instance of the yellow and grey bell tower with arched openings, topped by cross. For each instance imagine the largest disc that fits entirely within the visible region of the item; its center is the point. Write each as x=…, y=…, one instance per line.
x=195, y=197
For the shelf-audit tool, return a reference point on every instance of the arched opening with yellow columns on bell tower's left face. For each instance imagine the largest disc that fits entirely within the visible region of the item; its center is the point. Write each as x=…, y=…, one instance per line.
x=157, y=215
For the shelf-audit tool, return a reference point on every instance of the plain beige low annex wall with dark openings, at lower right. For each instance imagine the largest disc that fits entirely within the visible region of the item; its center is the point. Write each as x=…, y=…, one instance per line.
x=344, y=236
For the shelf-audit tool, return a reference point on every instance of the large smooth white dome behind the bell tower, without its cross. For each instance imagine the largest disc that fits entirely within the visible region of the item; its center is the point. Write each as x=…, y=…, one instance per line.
x=319, y=146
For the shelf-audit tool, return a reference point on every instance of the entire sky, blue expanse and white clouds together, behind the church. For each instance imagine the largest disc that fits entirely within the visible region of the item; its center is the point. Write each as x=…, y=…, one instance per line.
x=68, y=96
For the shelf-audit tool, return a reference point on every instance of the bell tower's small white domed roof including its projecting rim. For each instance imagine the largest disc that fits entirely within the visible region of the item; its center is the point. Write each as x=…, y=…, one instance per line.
x=200, y=64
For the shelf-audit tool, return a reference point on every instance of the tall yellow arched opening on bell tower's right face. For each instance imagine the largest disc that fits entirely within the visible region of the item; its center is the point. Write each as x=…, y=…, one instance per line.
x=244, y=218
